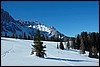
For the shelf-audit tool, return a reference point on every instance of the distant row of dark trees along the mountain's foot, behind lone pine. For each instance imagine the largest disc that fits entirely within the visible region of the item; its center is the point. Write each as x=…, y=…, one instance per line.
x=23, y=35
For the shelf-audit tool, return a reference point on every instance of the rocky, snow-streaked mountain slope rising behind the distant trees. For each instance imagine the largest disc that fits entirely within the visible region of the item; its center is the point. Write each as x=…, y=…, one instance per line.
x=11, y=26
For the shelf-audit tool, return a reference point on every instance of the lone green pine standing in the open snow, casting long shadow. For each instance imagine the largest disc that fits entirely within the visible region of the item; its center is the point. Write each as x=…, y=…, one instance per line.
x=38, y=48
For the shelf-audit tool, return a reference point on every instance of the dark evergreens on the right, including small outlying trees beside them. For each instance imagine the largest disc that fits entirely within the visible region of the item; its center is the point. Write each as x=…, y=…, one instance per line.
x=84, y=42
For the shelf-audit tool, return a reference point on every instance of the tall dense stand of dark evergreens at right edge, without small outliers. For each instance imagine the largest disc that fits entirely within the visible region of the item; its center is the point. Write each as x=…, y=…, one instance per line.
x=87, y=42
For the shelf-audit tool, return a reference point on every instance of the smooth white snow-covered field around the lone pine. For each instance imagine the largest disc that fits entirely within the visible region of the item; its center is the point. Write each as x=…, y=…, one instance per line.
x=16, y=52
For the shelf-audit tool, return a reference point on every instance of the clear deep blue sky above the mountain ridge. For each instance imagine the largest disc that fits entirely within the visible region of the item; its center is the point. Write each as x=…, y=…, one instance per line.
x=68, y=17
